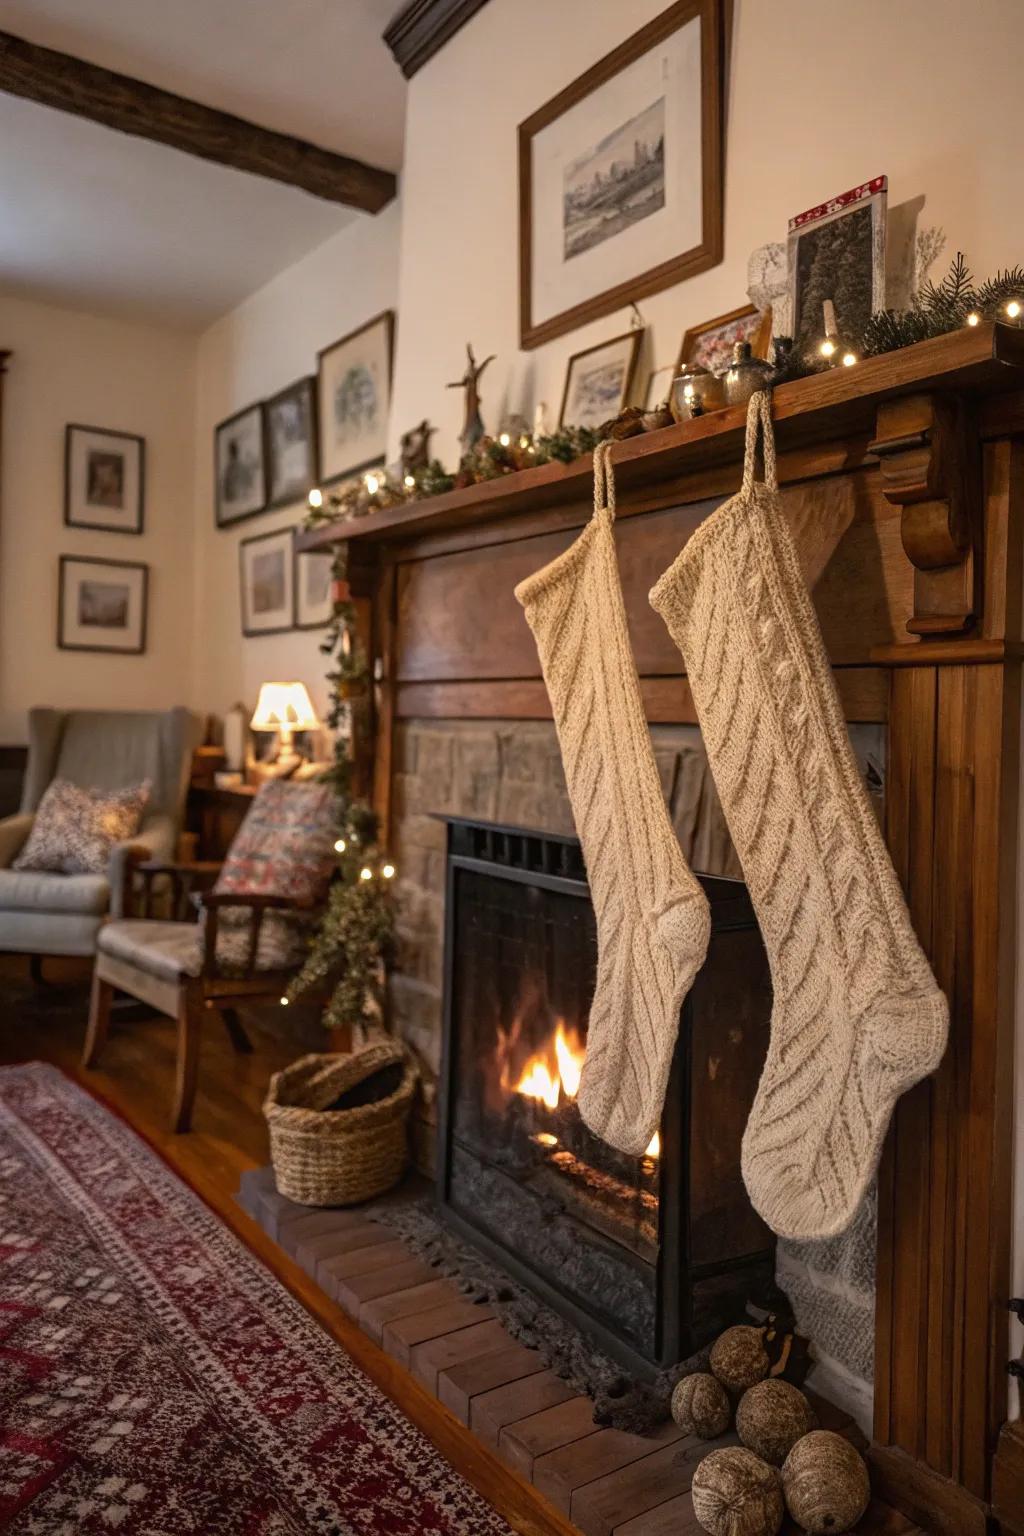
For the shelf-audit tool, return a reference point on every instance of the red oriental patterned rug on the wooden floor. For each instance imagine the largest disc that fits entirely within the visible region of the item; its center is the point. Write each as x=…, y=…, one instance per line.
x=156, y=1379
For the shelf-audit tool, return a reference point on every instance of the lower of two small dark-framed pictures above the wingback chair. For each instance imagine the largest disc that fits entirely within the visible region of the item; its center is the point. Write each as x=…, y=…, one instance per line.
x=102, y=606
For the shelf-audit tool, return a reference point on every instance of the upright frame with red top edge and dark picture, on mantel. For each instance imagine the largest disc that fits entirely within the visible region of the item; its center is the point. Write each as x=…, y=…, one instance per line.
x=837, y=254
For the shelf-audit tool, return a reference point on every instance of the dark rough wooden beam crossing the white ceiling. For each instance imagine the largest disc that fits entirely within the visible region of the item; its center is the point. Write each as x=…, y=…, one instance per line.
x=133, y=107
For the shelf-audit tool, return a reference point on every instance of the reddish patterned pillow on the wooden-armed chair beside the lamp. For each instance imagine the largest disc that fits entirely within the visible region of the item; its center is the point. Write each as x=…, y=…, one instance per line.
x=286, y=844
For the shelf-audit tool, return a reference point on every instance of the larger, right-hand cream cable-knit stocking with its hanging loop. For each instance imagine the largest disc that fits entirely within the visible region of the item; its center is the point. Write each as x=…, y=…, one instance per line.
x=857, y=1015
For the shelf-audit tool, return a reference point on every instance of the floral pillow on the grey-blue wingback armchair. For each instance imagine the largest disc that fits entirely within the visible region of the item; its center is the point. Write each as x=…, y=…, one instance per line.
x=74, y=829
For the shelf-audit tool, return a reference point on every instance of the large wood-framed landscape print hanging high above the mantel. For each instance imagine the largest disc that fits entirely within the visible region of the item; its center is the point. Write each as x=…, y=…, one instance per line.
x=621, y=176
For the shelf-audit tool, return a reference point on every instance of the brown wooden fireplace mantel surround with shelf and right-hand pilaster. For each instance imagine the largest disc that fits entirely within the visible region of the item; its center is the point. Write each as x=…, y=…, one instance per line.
x=903, y=480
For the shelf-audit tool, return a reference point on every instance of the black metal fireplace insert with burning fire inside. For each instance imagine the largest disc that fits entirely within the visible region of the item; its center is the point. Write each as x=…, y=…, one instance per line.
x=650, y=1256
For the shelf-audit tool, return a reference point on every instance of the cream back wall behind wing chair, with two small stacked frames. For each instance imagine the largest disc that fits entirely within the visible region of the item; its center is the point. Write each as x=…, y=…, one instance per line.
x=68, y=366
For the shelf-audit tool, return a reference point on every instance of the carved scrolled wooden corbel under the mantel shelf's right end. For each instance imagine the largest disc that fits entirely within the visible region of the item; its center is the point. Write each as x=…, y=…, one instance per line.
x=928, y=471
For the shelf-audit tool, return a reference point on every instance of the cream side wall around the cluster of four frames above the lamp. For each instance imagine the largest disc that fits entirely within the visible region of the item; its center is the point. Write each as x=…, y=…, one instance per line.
x=254, y=353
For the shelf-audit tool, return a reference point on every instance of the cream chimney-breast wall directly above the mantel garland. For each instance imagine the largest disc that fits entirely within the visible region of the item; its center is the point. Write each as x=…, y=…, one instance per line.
x=822, y=96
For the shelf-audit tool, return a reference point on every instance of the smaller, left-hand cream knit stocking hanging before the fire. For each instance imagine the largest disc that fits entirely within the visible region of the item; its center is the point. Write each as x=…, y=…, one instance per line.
x=653, y=921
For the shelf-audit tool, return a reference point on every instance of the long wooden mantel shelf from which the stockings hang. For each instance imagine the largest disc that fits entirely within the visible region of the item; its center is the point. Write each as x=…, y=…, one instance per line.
x=839, y=403
